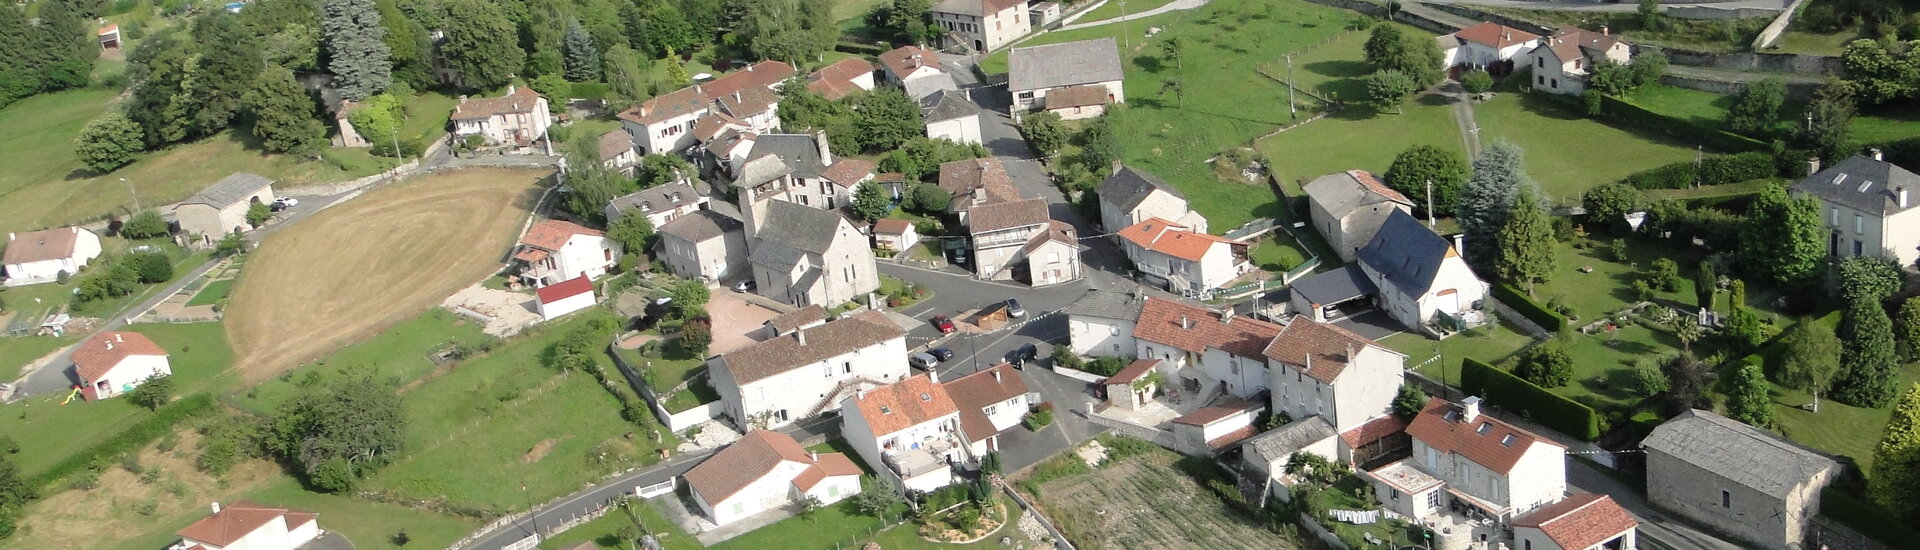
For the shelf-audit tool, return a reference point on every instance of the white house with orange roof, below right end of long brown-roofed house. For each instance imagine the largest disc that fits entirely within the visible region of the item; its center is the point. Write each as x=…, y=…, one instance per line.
x=907, y=428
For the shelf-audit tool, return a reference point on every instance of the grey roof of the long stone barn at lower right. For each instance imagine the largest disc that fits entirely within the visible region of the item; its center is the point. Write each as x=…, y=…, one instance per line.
x=1739, y=453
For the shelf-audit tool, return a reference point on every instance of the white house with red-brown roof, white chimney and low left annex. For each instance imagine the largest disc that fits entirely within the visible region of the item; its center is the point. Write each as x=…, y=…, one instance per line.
x=1466, y=457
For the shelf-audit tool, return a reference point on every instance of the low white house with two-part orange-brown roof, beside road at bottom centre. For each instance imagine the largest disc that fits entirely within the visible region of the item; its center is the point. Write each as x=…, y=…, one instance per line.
x=769, y=470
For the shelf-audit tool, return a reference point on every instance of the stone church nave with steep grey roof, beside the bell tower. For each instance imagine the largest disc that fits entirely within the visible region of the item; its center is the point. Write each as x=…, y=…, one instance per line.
x=809, y=257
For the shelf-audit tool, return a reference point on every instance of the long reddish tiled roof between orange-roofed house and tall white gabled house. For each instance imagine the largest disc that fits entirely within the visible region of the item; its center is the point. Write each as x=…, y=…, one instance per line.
x=1161, y=322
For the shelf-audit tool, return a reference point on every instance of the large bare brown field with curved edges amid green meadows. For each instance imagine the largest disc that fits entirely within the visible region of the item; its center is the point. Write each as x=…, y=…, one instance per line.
x=372, y=262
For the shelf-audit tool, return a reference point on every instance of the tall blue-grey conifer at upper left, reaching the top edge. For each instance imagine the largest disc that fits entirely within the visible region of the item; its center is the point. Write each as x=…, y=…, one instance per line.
x=356, y=47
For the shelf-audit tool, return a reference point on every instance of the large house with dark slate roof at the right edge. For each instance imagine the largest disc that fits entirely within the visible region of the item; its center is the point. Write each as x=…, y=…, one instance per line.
x=1867, y=207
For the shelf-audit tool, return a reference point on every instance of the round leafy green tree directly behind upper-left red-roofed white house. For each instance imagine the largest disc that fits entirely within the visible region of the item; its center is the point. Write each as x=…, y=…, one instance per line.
x=481, y=43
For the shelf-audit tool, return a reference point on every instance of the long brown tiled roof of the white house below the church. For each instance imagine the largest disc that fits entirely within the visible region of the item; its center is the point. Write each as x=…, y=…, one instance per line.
x=782, y=355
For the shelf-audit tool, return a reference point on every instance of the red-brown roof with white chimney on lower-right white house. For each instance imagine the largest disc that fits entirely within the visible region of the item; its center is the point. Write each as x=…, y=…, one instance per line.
x=1445, y=428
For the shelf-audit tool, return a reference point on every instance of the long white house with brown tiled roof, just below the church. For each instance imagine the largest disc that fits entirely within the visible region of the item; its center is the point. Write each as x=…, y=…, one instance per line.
x=794, y=378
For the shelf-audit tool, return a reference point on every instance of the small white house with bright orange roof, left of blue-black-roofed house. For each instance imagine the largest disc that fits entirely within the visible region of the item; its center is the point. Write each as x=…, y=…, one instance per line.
x=1184, y=261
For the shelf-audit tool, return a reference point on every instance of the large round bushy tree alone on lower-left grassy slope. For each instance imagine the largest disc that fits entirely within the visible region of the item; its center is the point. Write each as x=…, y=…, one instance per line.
x=341, y=434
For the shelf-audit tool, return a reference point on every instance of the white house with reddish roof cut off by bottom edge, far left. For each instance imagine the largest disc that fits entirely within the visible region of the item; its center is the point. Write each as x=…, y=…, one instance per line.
x=247, y=526
